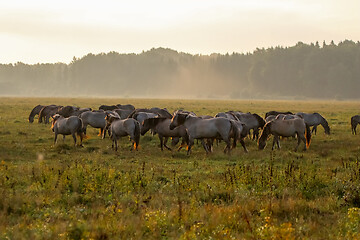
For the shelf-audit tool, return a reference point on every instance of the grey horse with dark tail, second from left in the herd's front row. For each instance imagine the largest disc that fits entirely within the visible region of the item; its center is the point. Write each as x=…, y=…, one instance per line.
x=121, y=128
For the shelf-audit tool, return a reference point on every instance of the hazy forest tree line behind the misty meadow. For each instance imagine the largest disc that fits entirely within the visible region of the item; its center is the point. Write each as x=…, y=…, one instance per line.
x=316, y=70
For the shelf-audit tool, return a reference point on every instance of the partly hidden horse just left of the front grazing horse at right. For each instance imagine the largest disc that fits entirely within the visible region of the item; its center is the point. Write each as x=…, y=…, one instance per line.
x=251, y=120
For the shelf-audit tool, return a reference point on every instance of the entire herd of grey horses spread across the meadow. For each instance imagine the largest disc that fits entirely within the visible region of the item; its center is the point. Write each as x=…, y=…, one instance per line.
x=231, y=127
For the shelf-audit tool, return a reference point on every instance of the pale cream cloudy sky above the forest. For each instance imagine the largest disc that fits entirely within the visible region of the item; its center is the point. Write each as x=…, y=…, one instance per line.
x=42, y=31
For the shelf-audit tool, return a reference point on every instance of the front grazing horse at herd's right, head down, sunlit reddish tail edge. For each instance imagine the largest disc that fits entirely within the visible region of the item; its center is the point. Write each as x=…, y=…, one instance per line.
x=286, y=128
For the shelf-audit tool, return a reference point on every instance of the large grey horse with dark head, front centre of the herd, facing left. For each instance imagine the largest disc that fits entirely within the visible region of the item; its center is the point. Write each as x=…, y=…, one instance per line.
x=198, y=128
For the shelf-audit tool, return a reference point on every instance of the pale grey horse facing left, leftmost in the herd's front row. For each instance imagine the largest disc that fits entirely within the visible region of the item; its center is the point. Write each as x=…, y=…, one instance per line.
x=67, y=126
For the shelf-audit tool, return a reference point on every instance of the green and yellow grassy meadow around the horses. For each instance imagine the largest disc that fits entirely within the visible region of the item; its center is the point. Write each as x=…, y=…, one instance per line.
x=67, y=192
